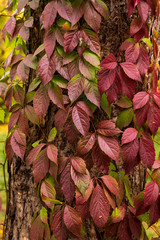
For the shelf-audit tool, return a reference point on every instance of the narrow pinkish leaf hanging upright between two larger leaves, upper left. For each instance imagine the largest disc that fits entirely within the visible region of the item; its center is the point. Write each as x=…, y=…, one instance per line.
x=49, y=42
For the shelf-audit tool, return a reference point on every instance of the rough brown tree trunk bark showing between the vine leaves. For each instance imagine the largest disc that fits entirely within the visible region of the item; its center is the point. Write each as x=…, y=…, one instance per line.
x=22, y=198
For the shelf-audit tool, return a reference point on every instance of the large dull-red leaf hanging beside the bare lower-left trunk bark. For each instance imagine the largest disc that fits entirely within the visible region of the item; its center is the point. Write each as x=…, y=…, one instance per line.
x=40, y=166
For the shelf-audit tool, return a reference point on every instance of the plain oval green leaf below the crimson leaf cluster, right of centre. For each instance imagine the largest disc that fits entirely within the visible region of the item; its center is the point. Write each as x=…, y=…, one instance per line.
x=125, y=118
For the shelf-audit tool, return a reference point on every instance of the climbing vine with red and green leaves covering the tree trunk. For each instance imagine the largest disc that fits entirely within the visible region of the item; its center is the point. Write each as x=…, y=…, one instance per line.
x=68, y=73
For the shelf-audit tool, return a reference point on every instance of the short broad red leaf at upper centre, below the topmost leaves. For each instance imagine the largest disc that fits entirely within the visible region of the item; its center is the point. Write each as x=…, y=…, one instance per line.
x=70, y=41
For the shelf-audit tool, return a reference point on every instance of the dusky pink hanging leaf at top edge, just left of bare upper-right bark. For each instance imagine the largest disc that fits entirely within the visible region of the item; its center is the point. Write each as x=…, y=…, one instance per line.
x=92, y=17
